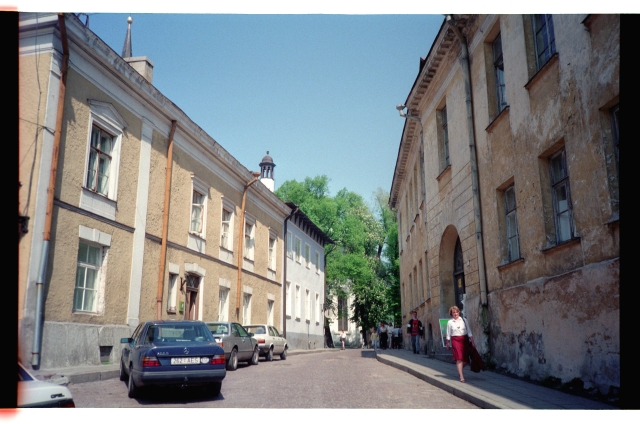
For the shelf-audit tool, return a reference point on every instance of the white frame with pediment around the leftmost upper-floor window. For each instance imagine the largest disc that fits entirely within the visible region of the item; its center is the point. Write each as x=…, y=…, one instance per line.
x=104, y=116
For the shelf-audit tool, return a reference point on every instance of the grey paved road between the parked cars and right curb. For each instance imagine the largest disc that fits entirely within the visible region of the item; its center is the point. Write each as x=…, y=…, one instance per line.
x=336, y=379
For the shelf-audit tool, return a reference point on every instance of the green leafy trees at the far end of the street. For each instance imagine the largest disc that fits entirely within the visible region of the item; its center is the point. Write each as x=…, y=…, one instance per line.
x=364, y=259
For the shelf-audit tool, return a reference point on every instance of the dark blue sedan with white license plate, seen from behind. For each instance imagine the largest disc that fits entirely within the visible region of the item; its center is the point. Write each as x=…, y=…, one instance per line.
x=172, y=353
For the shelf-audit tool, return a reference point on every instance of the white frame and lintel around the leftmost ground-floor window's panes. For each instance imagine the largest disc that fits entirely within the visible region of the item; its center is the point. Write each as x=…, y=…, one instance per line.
x=94, y=238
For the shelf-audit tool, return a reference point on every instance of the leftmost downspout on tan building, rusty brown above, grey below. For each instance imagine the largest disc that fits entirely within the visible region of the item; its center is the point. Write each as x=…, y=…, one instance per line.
x=44, y=256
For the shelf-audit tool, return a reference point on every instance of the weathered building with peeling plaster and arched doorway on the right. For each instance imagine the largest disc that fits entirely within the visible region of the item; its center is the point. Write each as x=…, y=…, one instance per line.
x=506, y=191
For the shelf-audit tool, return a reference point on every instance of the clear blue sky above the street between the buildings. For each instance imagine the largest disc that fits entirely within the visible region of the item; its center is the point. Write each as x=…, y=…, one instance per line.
x=317, y=91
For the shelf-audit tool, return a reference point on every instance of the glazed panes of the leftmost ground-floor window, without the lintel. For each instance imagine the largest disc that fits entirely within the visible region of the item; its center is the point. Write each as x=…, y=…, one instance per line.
x=85, y=295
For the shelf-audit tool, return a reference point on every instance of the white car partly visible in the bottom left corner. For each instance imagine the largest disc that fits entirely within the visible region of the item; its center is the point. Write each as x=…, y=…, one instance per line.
x=33, y=393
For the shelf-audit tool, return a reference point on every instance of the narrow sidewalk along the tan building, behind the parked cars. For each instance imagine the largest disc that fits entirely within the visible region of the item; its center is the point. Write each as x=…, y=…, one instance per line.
x=87, y=373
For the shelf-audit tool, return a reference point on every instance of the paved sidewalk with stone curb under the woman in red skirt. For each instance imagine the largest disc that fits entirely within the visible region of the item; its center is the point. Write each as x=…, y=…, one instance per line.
x=486, y=389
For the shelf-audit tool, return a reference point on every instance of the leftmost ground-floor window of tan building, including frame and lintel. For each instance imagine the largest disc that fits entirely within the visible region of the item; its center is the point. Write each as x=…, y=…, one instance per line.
x=93, y=247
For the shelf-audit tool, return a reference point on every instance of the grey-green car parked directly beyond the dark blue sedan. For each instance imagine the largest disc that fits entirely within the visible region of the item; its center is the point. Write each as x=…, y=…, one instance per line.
x=238, y=345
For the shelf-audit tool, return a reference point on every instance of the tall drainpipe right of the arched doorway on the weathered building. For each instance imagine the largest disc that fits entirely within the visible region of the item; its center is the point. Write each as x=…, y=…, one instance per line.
x=474, y=160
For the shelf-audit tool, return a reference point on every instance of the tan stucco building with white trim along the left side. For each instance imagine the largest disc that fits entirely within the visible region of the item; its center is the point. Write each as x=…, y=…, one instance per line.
x=124, y=245
